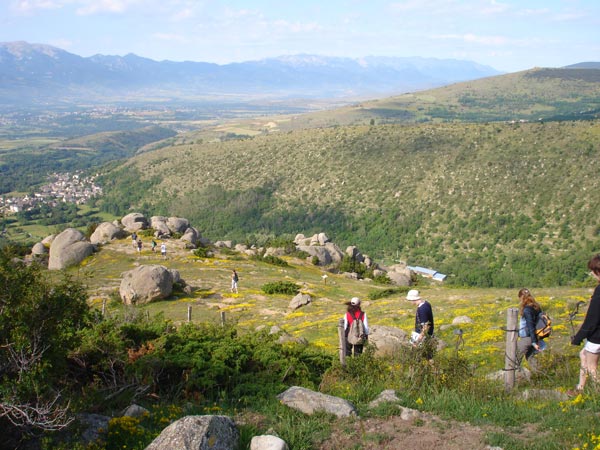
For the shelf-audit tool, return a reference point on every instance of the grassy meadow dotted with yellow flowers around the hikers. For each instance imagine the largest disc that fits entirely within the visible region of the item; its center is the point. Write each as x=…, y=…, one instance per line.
x=455, y=388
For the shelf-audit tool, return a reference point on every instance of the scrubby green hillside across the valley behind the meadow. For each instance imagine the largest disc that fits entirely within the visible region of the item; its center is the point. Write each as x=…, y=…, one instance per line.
x=490, y=204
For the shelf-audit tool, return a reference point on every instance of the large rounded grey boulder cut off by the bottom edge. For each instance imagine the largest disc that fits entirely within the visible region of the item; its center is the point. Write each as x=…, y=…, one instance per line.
x=198, y=433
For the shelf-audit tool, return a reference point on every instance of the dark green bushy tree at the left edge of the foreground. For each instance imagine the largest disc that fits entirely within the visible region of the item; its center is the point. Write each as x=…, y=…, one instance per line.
x=39, y=319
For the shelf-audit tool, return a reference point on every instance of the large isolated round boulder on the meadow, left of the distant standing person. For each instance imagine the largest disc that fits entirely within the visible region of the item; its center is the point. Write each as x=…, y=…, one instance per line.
x=145, y=284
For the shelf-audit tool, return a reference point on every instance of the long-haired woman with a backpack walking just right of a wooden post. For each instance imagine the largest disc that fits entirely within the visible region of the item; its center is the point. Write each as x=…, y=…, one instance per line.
x=529, y=344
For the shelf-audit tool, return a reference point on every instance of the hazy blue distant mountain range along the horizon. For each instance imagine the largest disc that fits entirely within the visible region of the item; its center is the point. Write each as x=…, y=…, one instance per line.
x=42, y=74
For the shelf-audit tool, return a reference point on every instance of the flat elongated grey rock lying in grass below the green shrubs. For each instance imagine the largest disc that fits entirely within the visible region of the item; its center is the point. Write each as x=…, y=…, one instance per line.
x=310, y=402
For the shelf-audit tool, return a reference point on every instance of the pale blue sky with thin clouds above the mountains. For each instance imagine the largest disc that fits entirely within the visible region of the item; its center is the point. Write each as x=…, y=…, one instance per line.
x=507, y=35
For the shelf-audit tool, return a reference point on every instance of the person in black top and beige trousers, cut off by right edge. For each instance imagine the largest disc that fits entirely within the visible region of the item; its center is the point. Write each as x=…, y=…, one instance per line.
x=589, y=330
